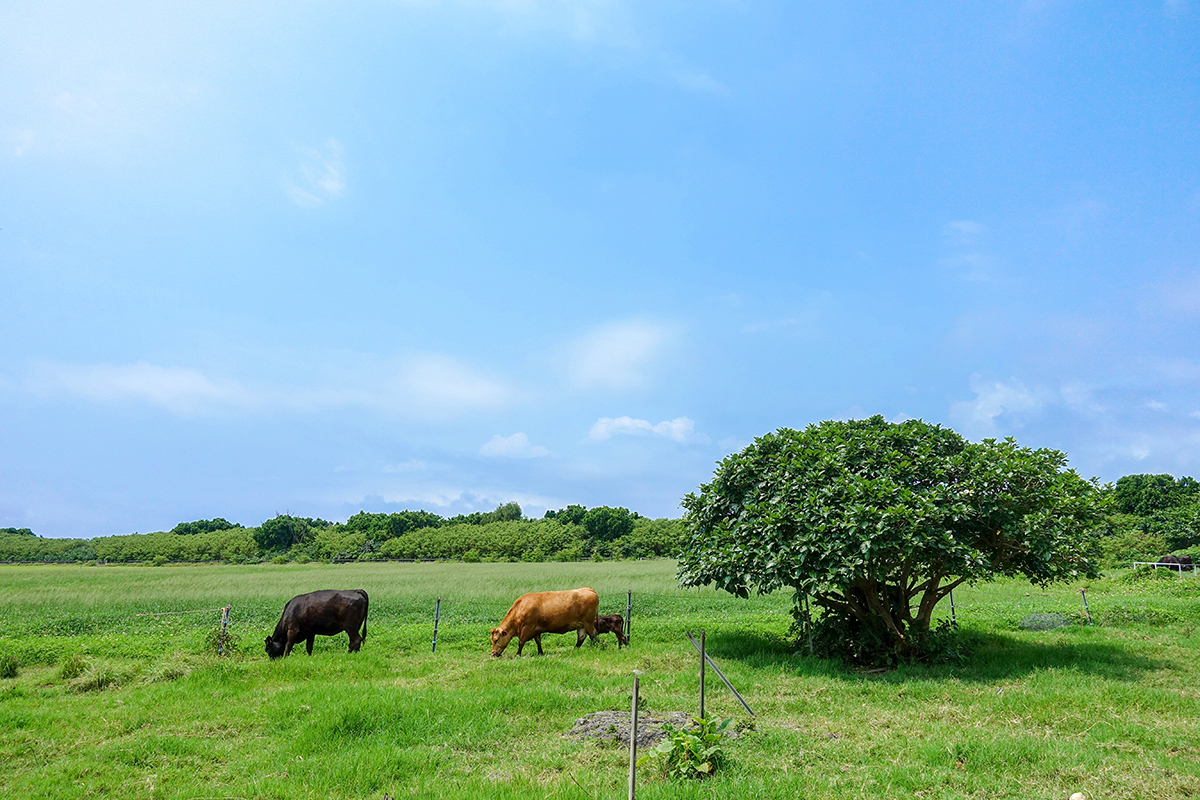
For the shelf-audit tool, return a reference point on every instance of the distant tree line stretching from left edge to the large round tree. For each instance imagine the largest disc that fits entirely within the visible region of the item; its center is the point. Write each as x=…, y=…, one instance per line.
x=505, y=534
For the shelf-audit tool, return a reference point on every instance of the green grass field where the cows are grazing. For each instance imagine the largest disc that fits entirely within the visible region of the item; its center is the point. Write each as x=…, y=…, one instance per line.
x=112, y=705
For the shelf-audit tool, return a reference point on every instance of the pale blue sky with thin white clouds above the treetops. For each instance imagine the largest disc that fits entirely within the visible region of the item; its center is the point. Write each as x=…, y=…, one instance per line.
x=266, y=258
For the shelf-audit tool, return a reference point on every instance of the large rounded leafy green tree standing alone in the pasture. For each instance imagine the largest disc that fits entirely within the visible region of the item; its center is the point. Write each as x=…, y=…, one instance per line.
x=878, y=522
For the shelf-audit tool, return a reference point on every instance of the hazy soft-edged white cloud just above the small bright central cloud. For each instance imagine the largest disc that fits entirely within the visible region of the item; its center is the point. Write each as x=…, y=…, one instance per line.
x=621, y=356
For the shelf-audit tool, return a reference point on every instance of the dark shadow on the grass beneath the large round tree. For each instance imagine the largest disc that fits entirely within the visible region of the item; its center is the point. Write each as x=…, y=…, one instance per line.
x=995, y=657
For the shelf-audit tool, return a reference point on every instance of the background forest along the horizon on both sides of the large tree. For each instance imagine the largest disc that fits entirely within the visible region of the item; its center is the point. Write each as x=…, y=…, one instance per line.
x=1150, y=516
